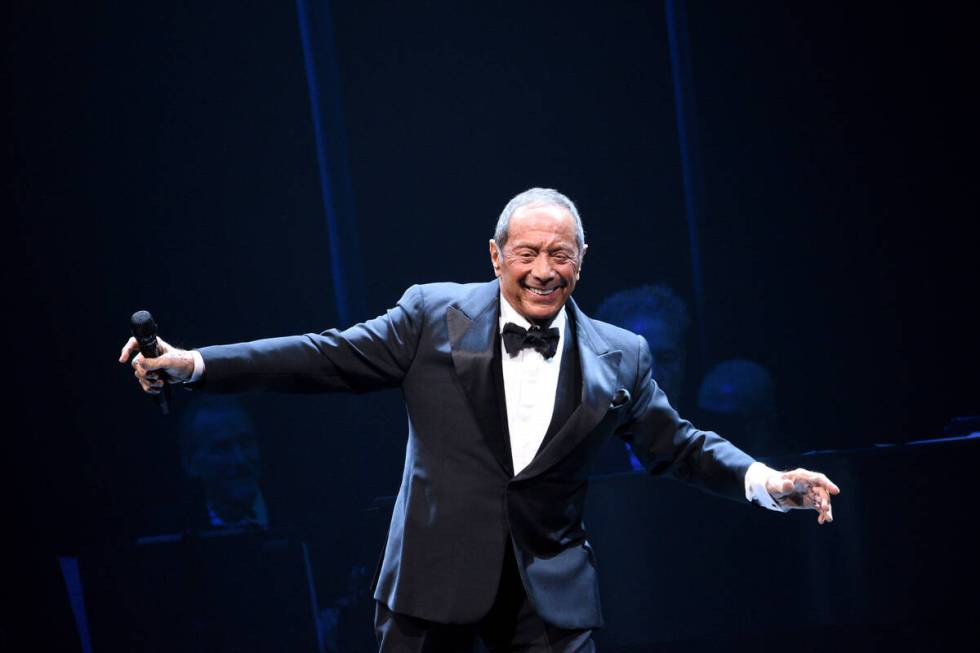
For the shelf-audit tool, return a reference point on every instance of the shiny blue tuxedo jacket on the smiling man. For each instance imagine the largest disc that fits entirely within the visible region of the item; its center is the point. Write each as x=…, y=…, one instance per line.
x=460, y=504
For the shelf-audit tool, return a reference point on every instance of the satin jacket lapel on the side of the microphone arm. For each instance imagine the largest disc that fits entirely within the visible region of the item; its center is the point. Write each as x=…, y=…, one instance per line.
x=473, y=327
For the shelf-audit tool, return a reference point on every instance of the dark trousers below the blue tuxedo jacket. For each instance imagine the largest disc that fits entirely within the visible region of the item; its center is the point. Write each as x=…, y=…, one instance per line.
x=511, y=625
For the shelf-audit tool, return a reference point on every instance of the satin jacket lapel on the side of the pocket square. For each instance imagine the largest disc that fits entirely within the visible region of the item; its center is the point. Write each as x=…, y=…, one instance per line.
x=600, y=374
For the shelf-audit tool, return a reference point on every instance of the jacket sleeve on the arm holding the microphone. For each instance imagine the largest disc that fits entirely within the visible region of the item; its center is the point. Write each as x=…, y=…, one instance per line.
x=372, y=355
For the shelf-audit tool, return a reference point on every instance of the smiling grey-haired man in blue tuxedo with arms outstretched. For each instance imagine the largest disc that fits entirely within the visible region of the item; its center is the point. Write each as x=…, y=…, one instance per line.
x=511, y=391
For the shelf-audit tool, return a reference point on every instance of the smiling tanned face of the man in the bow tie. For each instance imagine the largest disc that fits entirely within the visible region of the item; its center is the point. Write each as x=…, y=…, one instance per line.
x=540, y=262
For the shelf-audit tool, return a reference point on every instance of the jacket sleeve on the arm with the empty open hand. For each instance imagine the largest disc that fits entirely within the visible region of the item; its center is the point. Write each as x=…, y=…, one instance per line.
x=666, y=444
